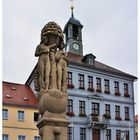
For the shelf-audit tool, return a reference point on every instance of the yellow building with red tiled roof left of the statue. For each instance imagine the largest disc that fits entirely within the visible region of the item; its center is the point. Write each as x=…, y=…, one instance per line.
x=19, y=113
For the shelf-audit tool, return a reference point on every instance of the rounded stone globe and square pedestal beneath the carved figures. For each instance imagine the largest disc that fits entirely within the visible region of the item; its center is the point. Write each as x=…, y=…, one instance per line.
x=53, y=123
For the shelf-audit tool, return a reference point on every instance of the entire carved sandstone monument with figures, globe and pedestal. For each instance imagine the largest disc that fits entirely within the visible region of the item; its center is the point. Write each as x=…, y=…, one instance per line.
x=50, y=82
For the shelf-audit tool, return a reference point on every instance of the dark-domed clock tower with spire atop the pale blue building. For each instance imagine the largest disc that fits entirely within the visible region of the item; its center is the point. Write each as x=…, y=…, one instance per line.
x=73, y=35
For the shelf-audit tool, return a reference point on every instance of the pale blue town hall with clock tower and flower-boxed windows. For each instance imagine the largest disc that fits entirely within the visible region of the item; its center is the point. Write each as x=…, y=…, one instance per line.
x=101, y=98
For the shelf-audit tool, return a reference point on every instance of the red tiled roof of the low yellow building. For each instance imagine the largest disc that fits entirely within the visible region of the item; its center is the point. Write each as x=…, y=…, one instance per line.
x=18, y=94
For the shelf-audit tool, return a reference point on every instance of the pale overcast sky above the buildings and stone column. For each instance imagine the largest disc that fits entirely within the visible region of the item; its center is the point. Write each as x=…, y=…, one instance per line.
x=109, y=33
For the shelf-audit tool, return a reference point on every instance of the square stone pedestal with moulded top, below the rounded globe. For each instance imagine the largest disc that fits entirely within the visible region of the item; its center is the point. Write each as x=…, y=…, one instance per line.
x=53, y=129
